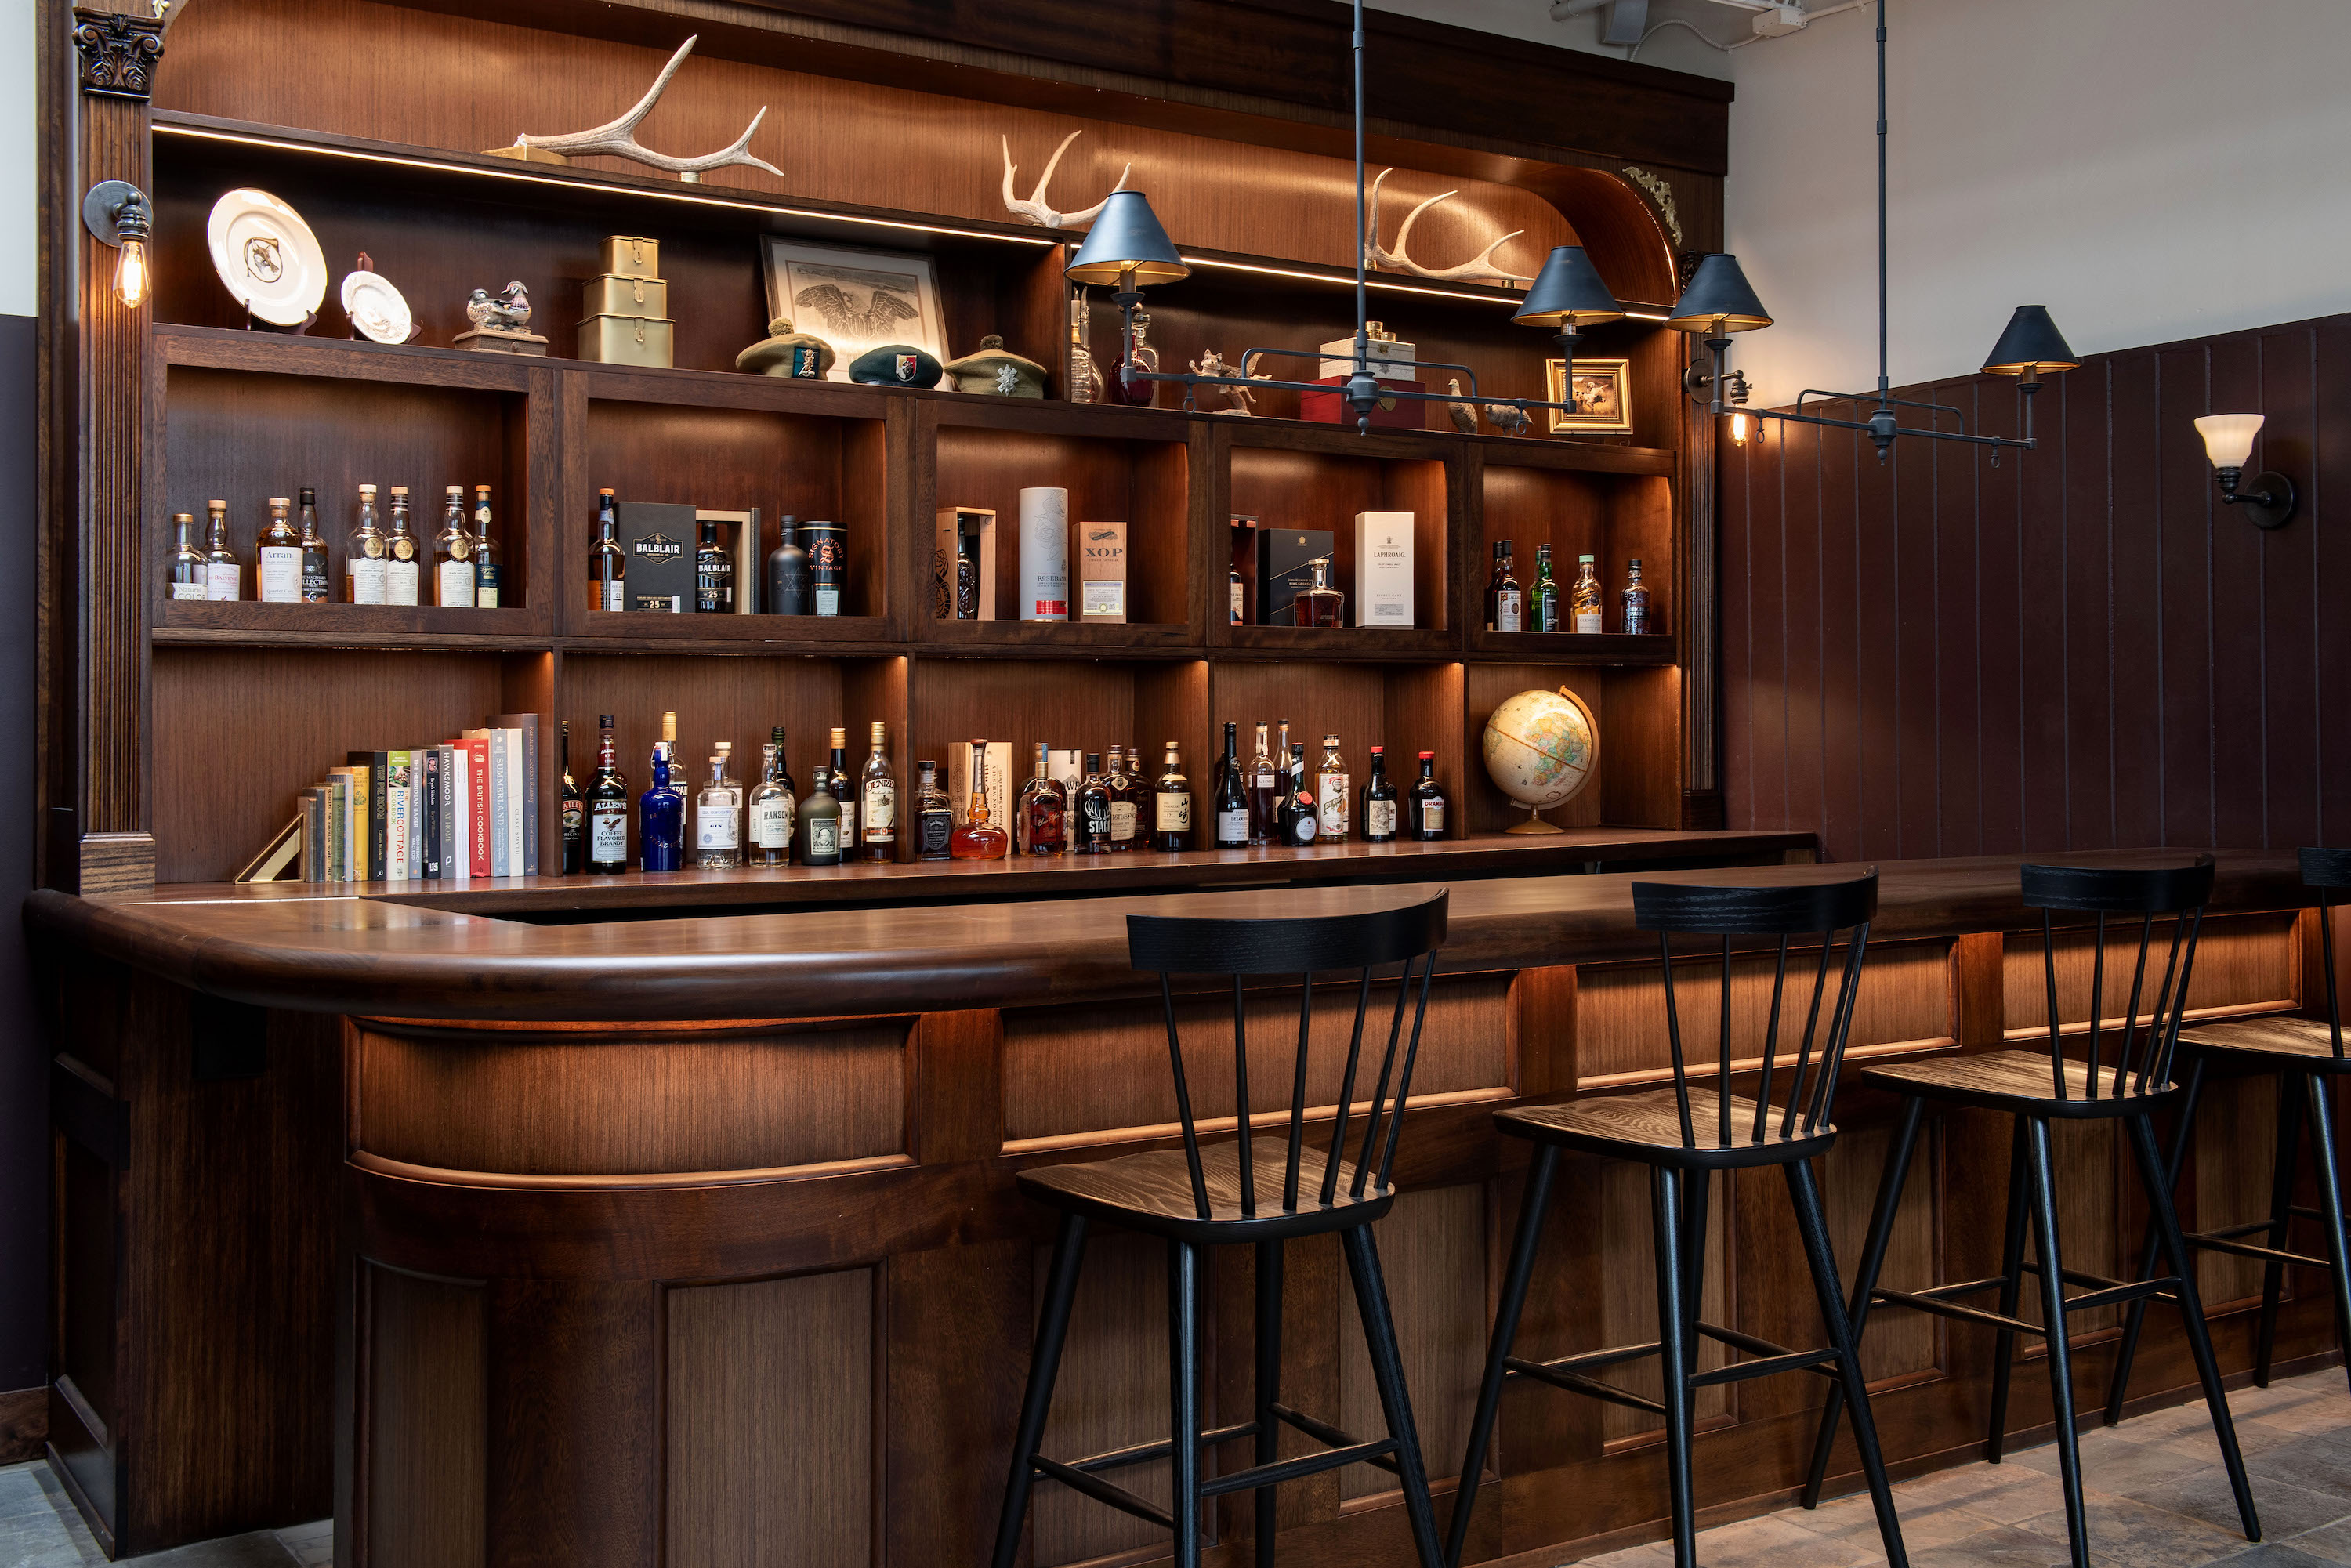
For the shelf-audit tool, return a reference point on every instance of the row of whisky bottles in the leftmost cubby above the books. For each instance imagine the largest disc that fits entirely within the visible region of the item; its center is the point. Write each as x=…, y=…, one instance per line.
x=380, y=565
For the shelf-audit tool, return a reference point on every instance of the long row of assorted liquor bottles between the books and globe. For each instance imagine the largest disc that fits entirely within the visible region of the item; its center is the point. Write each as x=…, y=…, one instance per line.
x=855, y=817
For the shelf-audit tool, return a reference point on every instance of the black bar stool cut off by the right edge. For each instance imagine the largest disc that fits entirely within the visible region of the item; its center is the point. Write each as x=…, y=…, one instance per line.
x=2305, y=1054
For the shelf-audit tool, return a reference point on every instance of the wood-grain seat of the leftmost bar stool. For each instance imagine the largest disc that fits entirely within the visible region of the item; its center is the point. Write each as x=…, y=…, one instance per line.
x=1153, y=1193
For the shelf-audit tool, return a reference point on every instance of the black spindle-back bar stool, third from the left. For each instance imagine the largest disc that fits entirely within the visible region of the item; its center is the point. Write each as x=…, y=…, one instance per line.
x=2037, y=1090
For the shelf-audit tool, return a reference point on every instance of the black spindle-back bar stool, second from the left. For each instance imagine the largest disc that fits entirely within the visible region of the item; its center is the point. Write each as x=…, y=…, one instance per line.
x=1684, y=1137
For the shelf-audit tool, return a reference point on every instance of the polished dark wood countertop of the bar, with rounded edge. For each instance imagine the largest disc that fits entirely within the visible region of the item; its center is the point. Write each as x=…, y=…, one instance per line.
x=295, y=946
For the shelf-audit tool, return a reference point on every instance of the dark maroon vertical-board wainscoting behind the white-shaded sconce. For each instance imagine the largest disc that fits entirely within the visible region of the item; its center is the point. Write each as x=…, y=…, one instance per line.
x=2082, y=648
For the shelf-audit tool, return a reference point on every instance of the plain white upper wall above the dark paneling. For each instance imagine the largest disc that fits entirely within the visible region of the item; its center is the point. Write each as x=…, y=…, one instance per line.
x=2148, y=170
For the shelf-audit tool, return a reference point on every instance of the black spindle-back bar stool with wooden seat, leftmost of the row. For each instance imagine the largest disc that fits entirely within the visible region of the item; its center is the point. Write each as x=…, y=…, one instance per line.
x=1212, y=1198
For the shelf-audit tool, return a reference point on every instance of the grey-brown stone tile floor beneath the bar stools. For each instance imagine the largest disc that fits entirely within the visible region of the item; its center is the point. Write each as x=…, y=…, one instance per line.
x=2155, y=1492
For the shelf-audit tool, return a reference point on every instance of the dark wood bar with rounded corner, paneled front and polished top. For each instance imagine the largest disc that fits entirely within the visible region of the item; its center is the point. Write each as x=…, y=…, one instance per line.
x=547, y=1235
